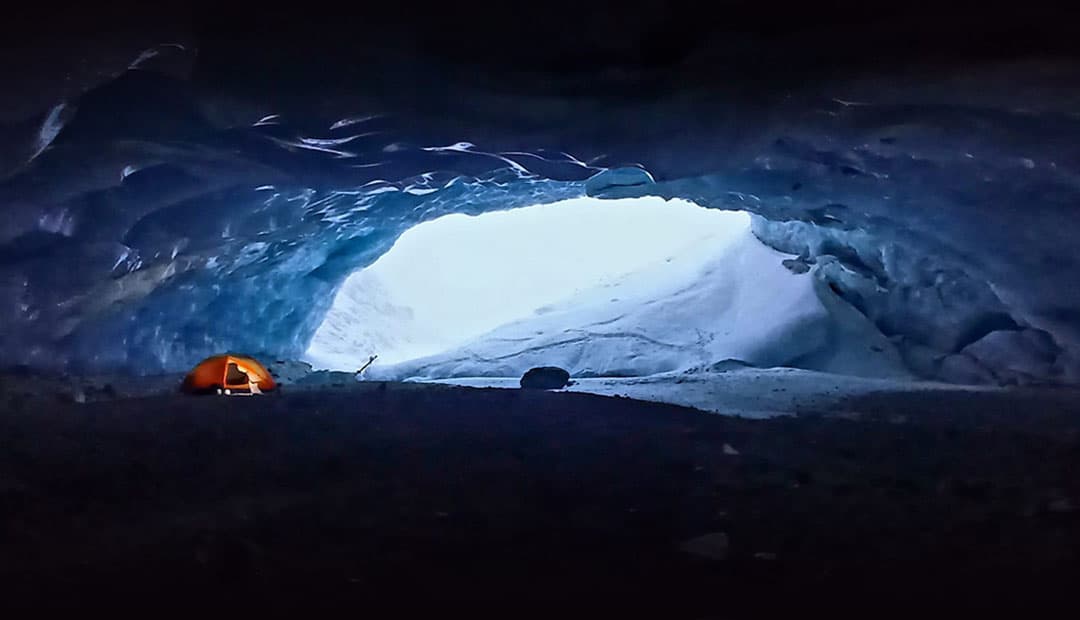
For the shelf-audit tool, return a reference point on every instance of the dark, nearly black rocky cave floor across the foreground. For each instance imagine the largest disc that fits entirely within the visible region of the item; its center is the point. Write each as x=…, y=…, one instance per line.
x=511, y=503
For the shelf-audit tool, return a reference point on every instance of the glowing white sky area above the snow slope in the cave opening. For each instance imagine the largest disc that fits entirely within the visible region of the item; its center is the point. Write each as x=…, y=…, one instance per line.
x=449, y=281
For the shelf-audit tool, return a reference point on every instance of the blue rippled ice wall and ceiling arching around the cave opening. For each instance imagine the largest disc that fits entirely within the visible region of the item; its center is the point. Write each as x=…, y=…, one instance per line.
x=151, y=223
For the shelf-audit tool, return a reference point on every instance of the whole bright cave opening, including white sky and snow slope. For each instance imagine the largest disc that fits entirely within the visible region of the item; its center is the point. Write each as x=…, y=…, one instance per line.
x=602, y=288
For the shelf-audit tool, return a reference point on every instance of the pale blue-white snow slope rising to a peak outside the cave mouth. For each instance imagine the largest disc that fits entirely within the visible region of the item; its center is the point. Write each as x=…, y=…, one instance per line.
x=717, y=300
